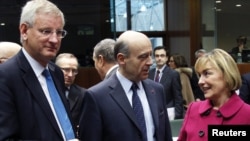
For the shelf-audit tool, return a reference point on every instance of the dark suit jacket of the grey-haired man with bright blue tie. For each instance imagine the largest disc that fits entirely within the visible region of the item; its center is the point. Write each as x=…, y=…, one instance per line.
x=24, y=109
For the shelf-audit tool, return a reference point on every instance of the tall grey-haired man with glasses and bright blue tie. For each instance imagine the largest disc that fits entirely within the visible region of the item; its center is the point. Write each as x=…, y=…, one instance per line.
x=26, y=105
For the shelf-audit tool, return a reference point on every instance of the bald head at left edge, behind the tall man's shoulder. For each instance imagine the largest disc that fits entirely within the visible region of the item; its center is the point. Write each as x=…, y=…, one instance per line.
x=8, y=50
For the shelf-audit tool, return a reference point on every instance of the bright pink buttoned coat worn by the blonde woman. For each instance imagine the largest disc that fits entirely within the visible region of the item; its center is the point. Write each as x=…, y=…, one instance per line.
x=201, y=114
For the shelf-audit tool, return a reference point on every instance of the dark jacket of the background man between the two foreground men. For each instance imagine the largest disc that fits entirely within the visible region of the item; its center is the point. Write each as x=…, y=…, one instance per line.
x=75, y=97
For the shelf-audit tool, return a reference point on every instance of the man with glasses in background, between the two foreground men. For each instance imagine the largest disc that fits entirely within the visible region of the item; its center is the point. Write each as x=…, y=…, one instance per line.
x=69, y=65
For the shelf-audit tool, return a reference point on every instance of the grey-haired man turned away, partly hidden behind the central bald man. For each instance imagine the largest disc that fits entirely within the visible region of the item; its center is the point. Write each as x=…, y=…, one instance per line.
x=103, y=56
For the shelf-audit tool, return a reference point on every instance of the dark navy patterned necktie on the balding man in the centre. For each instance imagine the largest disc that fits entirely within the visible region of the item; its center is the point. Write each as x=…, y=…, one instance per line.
x=138, y=109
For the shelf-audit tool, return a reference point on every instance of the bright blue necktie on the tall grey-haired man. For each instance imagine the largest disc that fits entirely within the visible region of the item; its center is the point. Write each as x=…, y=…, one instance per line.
x=59, y=107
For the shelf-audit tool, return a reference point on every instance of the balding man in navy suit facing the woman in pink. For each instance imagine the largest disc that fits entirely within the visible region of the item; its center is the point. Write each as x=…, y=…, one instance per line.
x=108, y=113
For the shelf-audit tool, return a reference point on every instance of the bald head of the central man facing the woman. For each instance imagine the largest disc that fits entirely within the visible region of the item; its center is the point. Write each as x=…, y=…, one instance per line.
x=133, y=52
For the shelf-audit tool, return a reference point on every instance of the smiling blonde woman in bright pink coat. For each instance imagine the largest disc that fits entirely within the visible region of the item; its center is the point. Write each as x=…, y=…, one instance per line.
x=219, y=77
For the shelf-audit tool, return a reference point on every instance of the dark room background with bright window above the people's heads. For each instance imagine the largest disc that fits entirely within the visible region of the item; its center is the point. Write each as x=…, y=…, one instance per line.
x=183, y=26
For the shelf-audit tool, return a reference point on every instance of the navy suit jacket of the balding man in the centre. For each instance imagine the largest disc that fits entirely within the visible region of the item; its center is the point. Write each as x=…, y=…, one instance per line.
x=108, y=115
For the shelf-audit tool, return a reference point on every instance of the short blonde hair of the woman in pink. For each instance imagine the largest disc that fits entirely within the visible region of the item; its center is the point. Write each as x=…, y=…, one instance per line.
x=222, y=61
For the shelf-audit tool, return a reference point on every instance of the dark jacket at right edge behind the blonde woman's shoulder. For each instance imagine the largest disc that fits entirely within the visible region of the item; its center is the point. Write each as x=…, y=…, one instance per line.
x=245, y=88
